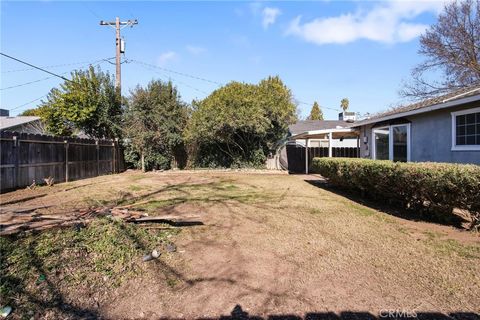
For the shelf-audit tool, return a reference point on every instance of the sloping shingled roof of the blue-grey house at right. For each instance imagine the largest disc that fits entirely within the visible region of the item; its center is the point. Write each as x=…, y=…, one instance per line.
x=464, y=95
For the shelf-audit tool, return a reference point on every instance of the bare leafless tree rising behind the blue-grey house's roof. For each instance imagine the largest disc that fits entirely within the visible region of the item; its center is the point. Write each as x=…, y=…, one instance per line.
x=452, y=50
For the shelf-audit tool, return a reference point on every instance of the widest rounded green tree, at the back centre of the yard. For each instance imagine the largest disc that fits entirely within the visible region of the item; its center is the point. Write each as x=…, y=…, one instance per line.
x=240, y=123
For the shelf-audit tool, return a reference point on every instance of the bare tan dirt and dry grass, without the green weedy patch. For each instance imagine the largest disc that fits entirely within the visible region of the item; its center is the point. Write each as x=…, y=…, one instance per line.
x=275, y=245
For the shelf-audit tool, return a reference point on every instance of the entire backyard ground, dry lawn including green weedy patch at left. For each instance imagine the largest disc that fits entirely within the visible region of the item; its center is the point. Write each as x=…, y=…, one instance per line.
x=270, y=244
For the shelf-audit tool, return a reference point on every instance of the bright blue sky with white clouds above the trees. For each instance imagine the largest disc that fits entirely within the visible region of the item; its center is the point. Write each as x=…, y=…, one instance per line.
x=323, y=51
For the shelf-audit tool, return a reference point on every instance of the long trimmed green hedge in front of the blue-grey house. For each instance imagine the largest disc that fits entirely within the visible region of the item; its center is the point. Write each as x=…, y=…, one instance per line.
x=423, y=186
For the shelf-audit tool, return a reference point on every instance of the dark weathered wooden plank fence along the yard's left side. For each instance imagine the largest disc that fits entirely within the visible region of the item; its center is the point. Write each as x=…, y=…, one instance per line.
x=26, y=158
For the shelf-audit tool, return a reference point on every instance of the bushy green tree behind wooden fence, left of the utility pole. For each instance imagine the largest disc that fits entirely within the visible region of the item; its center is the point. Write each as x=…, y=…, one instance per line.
x=88, y=102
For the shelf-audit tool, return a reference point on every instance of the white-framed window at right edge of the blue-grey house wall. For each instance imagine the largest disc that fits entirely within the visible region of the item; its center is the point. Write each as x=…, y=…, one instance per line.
x=466, y=130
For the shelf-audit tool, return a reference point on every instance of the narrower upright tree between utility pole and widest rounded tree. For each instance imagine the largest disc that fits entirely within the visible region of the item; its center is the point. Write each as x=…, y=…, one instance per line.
x=155, y=119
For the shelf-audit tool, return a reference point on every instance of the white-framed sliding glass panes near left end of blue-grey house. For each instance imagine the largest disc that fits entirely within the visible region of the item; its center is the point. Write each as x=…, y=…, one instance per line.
x=392, y=143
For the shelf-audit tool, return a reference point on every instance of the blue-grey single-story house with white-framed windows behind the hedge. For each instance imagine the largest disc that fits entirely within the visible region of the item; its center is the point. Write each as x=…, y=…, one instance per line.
x=441, y=129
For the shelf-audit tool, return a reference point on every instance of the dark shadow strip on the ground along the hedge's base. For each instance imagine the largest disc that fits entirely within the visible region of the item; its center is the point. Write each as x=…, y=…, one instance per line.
x=452, y=220
